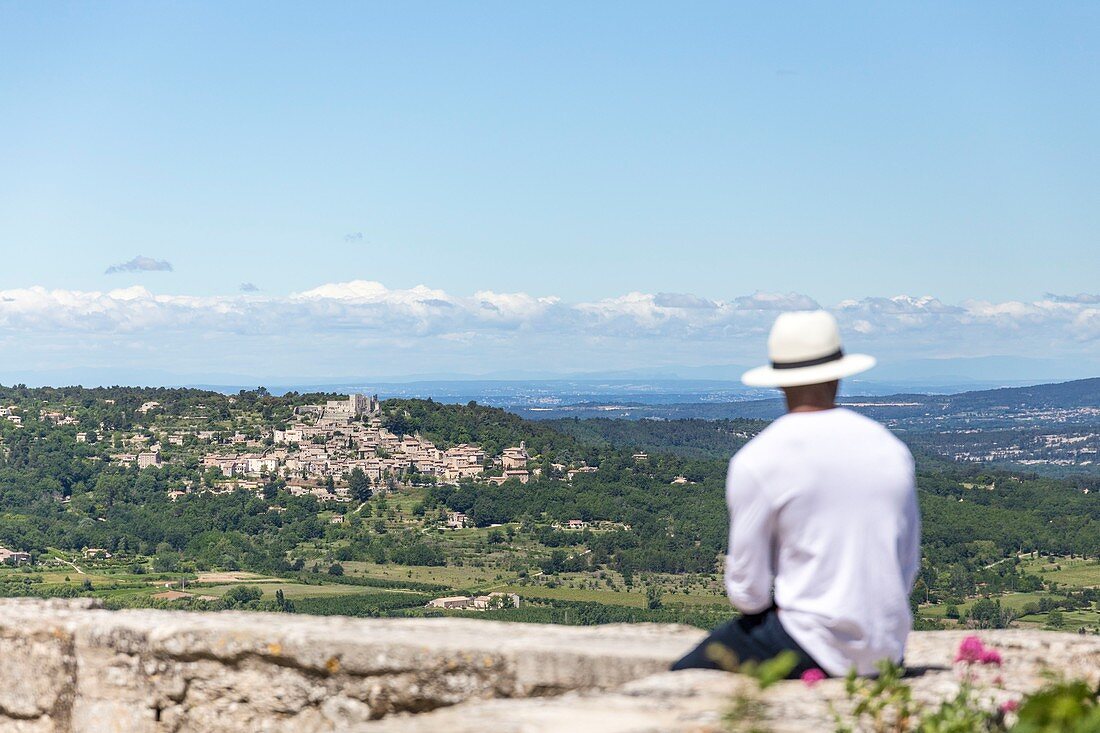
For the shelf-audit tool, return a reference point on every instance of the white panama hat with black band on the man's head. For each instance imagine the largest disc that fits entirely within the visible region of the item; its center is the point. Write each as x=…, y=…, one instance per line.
x=805, y=348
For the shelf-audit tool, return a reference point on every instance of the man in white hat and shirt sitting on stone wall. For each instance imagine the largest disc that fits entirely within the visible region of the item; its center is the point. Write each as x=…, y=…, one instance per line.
x=824, y=532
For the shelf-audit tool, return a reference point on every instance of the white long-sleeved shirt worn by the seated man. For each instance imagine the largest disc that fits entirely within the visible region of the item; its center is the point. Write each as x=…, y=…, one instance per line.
x=824, y=519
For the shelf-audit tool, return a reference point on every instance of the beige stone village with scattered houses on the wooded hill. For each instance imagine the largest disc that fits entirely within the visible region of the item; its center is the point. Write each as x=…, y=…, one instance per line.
x=326, y=451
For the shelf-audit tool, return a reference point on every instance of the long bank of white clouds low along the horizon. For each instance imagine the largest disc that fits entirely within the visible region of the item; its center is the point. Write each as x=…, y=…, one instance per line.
x=364, y=327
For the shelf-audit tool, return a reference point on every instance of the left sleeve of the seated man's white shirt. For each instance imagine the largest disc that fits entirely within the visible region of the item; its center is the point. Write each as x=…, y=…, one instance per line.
x=750, y=574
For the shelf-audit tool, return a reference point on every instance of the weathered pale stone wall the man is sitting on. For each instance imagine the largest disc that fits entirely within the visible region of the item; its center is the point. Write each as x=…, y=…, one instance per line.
x=70, y=666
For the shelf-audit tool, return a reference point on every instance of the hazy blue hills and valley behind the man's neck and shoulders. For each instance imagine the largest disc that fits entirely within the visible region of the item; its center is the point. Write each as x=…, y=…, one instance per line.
x=1049, y=429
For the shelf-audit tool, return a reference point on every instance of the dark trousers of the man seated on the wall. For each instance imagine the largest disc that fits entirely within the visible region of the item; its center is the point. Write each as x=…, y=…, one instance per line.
x=752, y=638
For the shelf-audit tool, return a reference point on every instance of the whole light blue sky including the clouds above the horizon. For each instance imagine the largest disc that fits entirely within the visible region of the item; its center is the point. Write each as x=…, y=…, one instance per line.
x=570, y=155
